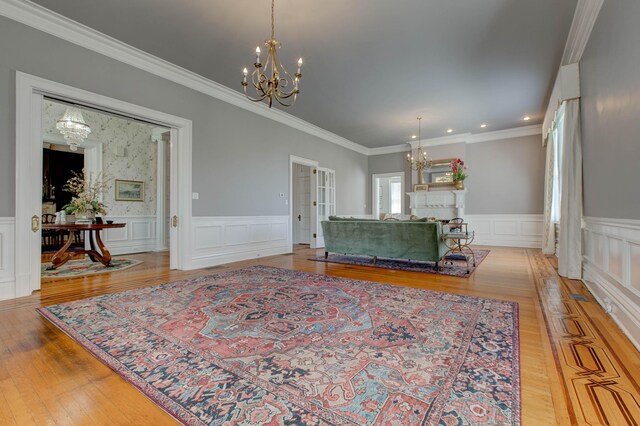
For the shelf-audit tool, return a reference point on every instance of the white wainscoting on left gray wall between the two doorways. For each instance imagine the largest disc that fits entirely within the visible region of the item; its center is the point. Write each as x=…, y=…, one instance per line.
x=218, y=240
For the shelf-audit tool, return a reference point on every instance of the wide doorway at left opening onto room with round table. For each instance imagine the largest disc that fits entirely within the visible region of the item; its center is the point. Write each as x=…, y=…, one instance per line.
x=122, y=154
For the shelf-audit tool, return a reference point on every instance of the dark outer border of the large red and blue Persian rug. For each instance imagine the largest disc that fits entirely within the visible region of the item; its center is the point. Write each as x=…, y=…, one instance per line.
x=184, y=416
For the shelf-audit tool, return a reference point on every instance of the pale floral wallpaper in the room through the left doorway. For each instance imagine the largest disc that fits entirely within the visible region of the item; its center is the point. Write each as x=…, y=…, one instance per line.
x=137, y=160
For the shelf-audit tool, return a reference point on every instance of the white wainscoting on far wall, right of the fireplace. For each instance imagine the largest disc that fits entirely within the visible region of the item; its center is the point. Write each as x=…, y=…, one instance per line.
x=509, y=230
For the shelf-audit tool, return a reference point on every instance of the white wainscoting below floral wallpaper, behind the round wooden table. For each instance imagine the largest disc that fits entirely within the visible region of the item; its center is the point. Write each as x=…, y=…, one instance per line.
x=138, y=236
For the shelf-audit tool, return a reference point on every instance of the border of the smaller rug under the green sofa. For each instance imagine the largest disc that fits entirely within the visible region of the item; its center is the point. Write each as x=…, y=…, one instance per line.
x=411, y=266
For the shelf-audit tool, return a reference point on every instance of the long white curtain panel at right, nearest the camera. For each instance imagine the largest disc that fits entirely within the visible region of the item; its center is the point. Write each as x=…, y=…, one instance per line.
x=570, y=161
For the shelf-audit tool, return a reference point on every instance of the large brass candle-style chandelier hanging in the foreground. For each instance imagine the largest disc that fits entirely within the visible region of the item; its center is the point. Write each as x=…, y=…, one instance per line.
x=274, y=86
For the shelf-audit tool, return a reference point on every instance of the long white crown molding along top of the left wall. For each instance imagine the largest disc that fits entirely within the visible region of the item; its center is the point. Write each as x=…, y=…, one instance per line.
x=59, y=26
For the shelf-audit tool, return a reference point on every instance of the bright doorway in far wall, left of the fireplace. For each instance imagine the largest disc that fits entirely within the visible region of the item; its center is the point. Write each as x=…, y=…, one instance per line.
x=388, y=194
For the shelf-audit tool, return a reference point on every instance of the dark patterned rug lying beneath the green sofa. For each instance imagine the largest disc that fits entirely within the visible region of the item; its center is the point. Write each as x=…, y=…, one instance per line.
x=455, y=267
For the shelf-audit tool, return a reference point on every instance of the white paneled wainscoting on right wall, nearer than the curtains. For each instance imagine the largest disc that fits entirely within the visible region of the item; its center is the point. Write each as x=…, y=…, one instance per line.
x=611, y=269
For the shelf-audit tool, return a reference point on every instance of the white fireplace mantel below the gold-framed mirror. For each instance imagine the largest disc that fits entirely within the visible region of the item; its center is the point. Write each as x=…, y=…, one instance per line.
x=439, y=204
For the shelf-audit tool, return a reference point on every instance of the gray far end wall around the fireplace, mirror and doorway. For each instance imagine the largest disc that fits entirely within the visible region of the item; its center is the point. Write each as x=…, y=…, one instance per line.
x=505, y=176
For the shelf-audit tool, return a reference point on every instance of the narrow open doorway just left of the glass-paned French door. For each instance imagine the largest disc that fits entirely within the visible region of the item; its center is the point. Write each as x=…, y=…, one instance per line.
x=301, y=201
